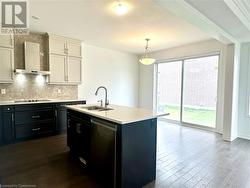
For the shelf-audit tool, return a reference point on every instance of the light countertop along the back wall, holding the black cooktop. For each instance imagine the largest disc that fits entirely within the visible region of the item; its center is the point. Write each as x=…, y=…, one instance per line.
x=4, y=103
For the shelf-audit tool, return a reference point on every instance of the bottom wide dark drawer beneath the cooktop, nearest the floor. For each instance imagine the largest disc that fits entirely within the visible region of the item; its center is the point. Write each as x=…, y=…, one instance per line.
x=30, y=130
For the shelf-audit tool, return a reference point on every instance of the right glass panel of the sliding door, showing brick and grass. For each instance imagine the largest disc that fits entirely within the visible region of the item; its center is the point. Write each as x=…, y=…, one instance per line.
x=200, y=91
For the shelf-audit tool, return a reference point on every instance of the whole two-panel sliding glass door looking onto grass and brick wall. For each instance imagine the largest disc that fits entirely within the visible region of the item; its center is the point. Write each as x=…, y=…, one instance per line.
x=187, y=89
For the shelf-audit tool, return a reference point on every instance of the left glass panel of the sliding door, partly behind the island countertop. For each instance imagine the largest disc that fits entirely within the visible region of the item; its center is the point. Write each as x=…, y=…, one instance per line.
x=169, y=89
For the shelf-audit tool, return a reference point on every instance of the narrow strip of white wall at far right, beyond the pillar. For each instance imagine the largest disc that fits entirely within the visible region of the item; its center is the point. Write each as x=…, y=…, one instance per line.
x=244, y=118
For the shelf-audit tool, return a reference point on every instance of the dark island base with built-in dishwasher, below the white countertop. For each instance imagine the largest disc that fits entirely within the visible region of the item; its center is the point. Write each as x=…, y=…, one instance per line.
x=122, y=156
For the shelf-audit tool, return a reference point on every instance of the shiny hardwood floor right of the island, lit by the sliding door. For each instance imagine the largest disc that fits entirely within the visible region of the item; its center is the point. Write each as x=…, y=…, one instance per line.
x=188, y=157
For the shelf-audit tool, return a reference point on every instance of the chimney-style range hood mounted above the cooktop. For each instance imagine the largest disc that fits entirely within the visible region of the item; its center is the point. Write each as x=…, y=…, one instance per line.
x=32, y=60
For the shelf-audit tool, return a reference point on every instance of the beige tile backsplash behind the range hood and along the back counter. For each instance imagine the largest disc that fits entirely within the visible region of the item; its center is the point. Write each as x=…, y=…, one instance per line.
x=29, y=86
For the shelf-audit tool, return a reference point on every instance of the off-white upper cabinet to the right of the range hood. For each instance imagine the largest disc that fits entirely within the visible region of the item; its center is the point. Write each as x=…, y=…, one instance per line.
x=67, y=50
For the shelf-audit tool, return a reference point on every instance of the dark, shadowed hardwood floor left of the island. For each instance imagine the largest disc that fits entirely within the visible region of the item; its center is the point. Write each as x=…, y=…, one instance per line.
x=44, y=163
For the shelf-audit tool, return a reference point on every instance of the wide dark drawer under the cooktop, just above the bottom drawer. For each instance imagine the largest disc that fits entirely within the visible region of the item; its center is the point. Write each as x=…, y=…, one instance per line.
x=33, y=116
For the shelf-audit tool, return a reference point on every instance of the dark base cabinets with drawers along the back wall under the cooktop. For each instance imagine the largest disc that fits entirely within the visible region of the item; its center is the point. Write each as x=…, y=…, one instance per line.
x=24, y=122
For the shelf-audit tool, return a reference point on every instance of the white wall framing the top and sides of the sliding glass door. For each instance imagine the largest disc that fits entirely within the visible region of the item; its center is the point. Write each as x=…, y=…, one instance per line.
x=147, y=74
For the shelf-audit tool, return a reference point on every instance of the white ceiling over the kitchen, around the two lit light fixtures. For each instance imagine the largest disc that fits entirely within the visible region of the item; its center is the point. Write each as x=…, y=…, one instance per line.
x=93, y=22
